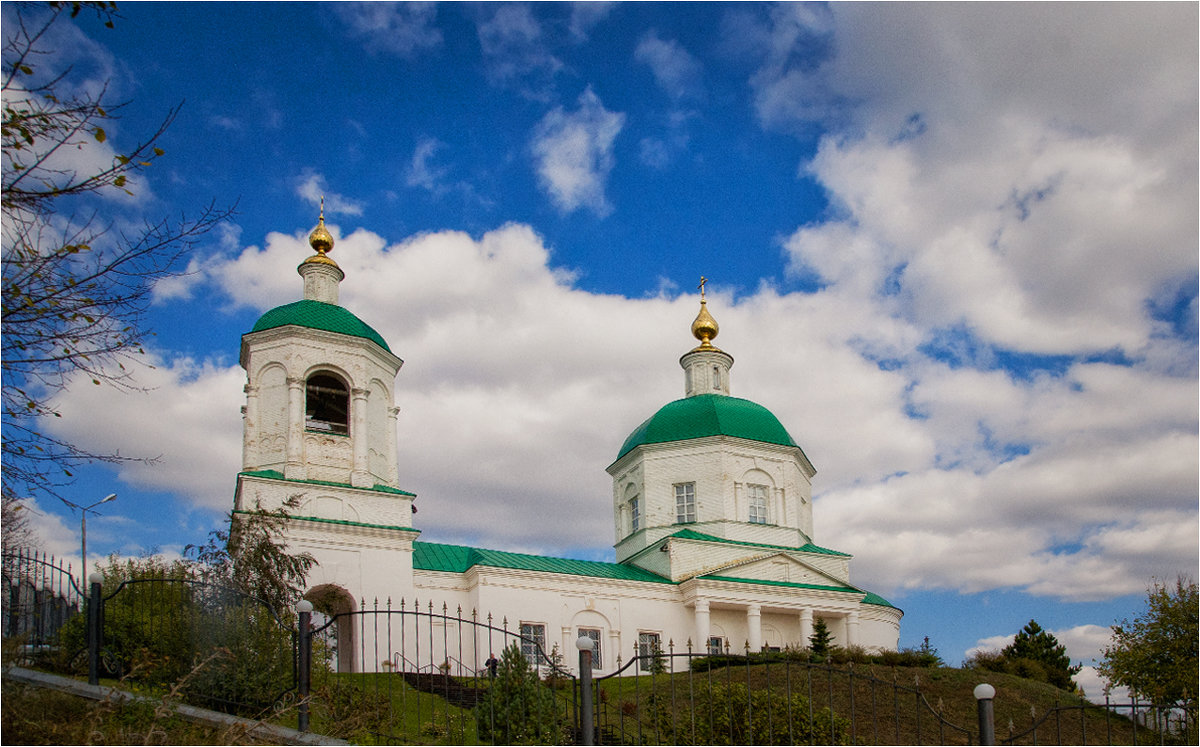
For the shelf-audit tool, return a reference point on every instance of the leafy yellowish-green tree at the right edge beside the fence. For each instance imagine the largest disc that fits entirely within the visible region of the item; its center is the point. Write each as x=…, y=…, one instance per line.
x=1156, y=656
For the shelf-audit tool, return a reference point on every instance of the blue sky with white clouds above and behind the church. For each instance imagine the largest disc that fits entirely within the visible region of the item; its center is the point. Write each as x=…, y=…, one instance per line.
x=952, y=247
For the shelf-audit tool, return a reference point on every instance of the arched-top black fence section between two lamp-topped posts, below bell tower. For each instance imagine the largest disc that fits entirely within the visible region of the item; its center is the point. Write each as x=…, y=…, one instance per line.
x=434, y=676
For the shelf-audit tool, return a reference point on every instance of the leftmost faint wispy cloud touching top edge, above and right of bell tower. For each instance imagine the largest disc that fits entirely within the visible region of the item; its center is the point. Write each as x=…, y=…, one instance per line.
x=404, y=29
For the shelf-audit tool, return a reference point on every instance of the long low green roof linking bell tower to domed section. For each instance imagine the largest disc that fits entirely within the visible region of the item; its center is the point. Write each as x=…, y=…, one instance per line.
x=459, y=559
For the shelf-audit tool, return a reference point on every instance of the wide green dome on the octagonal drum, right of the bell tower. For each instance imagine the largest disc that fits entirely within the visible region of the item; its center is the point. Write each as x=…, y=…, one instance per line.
x=709, y=415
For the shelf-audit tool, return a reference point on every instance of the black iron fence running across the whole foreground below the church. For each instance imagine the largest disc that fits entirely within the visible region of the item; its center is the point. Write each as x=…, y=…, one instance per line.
x=422, y=673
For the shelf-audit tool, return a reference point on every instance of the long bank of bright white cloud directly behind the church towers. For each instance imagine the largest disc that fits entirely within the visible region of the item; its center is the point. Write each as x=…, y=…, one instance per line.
x=1073, y=487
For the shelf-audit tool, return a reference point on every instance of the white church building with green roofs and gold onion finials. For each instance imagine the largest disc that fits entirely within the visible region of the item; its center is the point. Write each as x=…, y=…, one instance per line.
x=712, y=504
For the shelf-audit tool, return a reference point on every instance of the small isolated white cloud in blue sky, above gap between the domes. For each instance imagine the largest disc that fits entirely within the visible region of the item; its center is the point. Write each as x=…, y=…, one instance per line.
x=573, y=154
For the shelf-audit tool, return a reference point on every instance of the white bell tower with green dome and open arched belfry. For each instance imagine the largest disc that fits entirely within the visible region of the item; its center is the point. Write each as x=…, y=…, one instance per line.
x=320, y=432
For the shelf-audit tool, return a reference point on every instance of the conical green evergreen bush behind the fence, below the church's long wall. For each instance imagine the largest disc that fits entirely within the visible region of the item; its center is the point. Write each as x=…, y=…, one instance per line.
x=519, y=709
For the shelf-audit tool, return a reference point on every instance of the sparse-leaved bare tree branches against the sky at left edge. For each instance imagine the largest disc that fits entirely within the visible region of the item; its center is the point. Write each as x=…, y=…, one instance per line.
x=75, y=290
